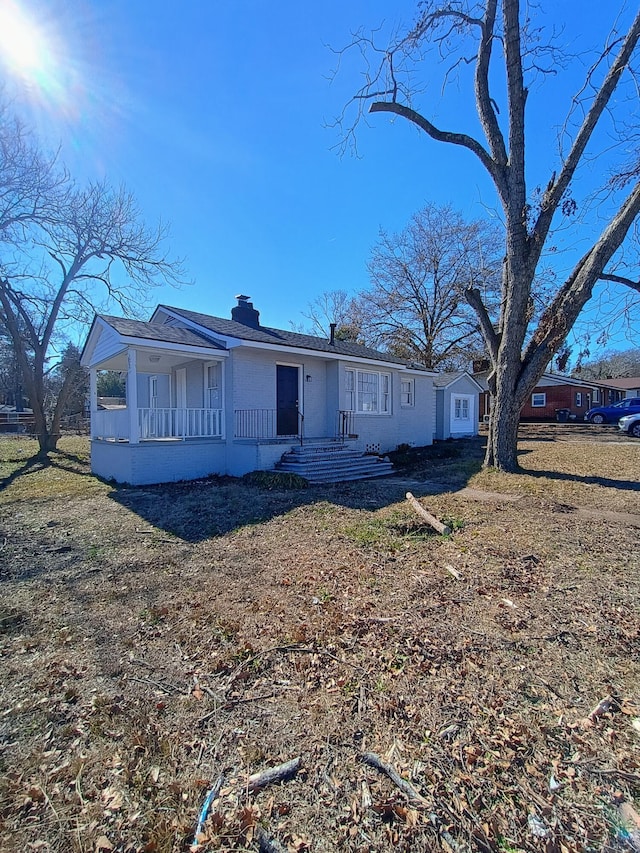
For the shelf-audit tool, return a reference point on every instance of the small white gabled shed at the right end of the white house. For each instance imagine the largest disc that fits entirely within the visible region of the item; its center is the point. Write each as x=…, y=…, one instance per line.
x=457, y=396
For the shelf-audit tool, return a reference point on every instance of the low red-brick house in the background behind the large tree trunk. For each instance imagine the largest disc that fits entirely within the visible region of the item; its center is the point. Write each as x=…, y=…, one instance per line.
x=554, y=392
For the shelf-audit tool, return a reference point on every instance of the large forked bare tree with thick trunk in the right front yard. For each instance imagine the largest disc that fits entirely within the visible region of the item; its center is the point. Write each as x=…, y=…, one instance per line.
x=498, y=43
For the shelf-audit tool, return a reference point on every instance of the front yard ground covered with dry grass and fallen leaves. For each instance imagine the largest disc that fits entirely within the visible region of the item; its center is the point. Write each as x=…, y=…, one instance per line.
x=476, y=691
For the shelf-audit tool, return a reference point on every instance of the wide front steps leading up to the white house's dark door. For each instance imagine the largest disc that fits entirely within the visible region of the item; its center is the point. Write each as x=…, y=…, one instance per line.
x=332, y=463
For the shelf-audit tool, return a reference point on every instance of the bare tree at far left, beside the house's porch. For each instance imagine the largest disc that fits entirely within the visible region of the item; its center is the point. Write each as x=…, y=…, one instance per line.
x=63, y=250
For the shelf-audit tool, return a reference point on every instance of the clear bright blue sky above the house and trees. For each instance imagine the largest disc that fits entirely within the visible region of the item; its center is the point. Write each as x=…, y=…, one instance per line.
x=214, y=114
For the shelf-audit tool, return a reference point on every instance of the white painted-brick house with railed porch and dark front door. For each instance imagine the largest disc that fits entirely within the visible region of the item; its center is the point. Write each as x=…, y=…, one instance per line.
x=207, y=395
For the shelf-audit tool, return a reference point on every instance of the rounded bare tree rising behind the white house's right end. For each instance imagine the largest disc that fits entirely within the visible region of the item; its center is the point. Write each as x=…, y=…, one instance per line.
x=416, y=306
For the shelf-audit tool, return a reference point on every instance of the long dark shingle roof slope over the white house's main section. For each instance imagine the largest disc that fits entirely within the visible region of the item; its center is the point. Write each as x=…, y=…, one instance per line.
x=281, y=337
